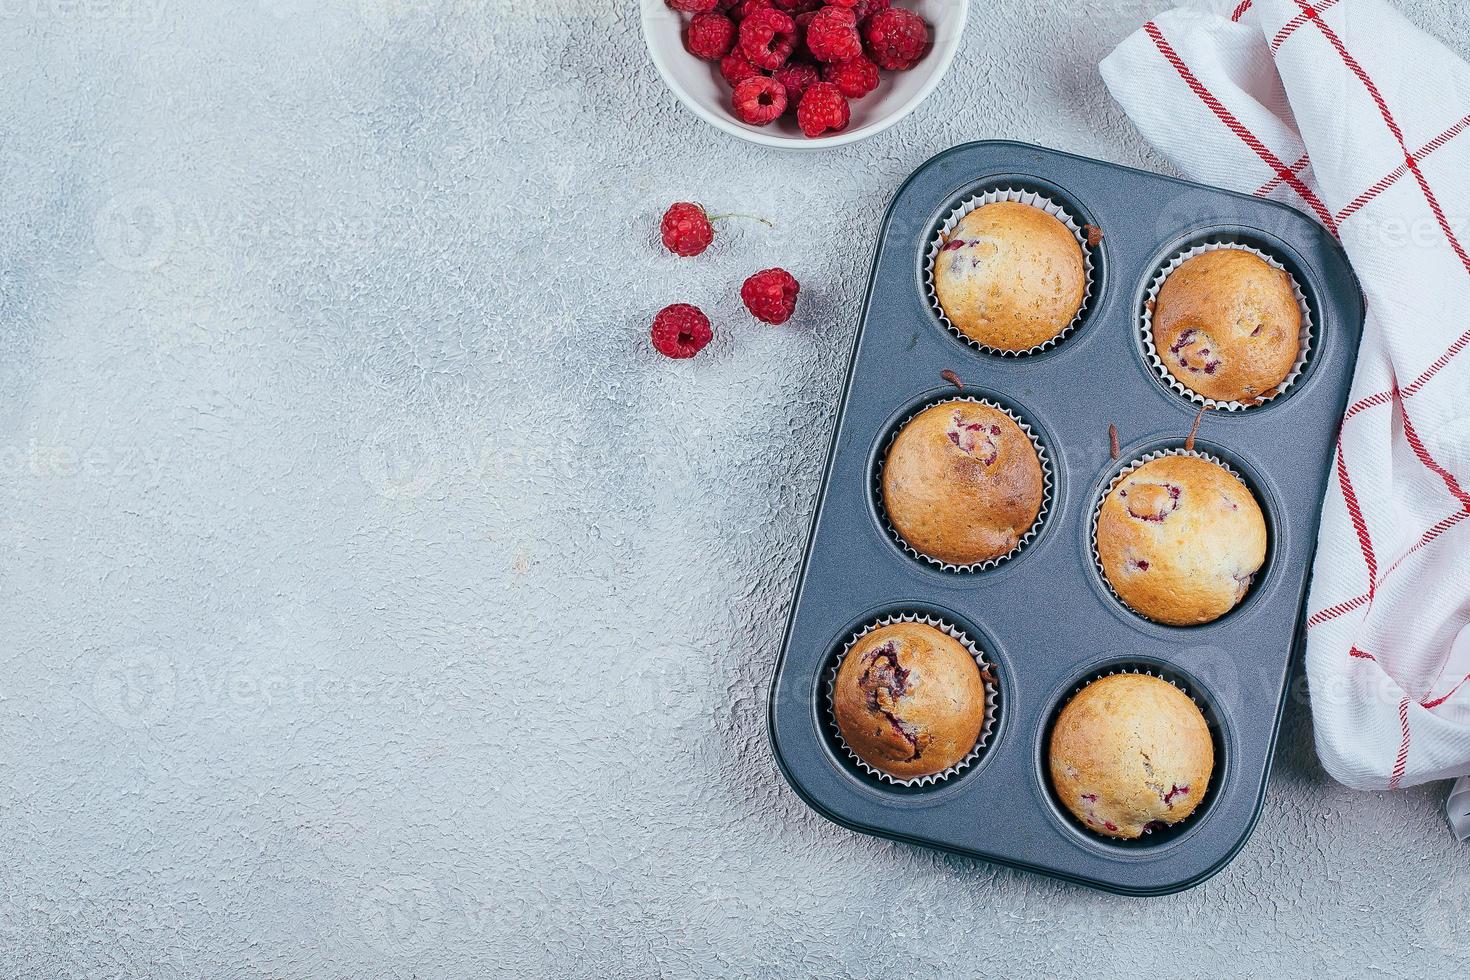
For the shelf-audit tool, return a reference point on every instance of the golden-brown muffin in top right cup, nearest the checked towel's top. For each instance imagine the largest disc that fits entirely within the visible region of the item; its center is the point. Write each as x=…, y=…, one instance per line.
x=1228, y=325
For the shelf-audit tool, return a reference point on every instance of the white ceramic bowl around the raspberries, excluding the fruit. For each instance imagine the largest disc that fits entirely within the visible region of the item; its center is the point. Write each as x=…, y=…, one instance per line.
x=700, y=86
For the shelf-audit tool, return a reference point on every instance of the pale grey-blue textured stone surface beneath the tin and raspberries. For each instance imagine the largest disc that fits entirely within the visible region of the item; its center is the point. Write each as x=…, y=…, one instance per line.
x=377, y=605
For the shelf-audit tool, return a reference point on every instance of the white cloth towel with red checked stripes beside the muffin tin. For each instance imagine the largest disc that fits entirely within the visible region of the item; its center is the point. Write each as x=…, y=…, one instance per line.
x=1346, y=111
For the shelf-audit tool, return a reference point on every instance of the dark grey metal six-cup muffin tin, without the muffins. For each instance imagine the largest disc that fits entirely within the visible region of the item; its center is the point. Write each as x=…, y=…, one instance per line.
x=1044, y=618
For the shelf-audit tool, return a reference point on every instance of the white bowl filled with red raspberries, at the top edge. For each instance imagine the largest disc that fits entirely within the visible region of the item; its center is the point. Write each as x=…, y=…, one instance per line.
x=803, y=74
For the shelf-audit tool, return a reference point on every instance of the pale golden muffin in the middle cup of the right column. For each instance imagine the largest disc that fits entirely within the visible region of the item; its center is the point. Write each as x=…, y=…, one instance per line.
x=1180, y=540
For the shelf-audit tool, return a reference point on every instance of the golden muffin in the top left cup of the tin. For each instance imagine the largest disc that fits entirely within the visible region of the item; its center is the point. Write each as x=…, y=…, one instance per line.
x=1011, y=277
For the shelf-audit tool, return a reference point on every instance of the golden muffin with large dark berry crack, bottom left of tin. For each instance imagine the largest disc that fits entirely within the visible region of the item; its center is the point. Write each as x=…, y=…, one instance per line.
x=909, y=700
